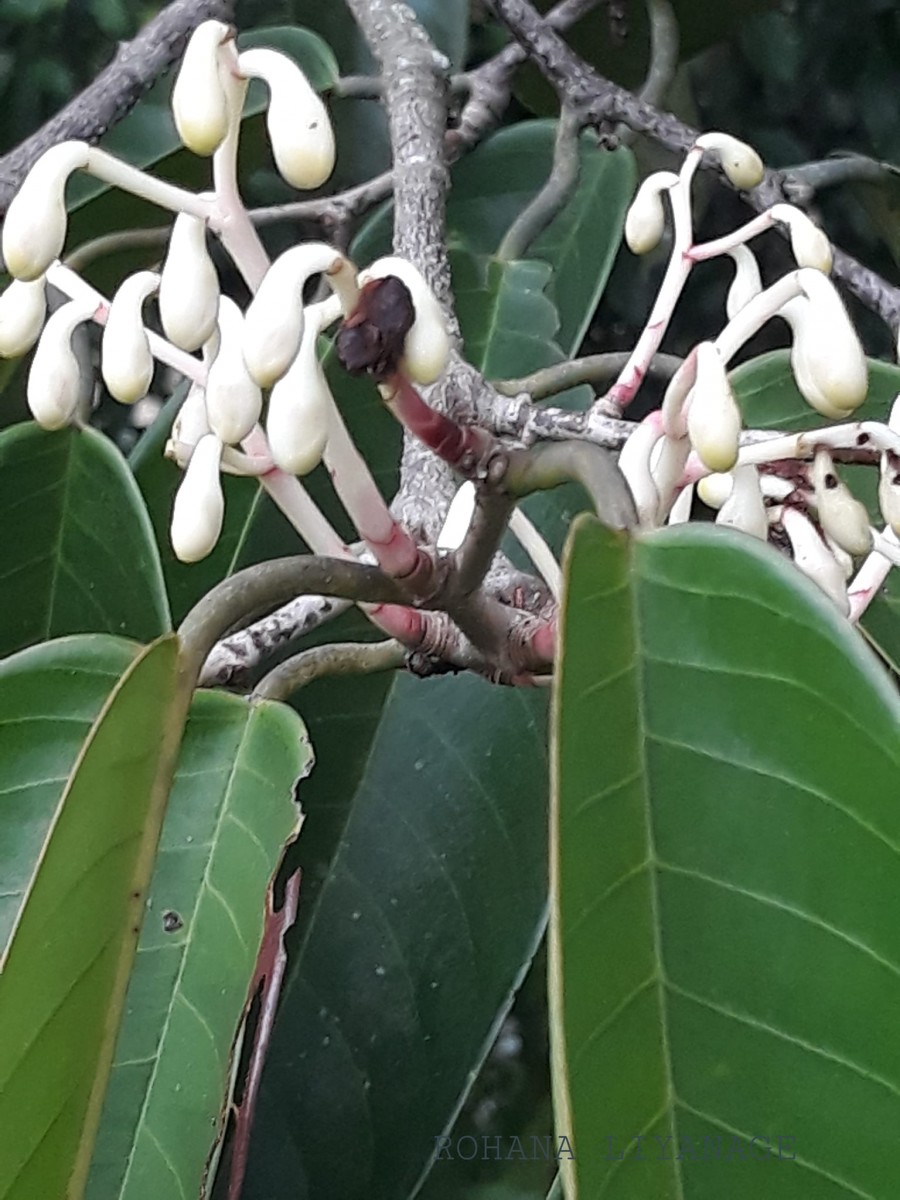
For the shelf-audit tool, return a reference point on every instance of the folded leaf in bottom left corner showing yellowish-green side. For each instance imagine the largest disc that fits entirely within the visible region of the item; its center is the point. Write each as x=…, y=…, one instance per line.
x=86, y=724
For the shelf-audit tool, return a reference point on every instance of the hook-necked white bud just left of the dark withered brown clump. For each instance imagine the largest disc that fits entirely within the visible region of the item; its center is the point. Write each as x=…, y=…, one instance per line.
x=274, y=323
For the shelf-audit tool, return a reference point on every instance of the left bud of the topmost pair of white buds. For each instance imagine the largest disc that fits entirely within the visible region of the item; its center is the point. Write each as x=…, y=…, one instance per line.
x=200, y=99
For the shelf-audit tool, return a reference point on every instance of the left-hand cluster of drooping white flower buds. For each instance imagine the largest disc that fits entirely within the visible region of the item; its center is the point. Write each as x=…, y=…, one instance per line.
x=273, y=347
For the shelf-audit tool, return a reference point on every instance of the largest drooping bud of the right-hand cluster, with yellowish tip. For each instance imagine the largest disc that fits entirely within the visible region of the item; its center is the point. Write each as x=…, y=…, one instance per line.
x=827, y=358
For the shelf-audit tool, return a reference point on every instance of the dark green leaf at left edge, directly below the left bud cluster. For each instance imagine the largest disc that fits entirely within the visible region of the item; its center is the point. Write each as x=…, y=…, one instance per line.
x=80, y=554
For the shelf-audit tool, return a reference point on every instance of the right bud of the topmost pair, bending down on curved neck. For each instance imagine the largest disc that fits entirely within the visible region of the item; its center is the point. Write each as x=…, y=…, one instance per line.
x=299, y=127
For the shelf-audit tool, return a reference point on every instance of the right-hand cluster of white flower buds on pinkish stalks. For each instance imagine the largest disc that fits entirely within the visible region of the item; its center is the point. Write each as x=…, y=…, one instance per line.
x=697, y=436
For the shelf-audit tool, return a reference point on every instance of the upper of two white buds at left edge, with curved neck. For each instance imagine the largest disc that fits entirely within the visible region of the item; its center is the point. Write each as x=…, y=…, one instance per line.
x=35, y=225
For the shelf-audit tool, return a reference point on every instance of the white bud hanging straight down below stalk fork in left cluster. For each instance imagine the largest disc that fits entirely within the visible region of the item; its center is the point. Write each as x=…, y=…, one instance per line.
x=189, y=286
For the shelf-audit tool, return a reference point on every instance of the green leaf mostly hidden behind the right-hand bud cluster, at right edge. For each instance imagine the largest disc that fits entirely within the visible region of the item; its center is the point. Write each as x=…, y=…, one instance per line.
x=771, y=400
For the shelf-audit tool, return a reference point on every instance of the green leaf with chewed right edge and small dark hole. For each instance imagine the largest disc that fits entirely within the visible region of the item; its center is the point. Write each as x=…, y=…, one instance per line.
x=230, y=817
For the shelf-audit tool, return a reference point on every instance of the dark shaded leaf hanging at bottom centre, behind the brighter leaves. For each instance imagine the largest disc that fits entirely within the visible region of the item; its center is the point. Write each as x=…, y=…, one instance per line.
x=415, y=929
